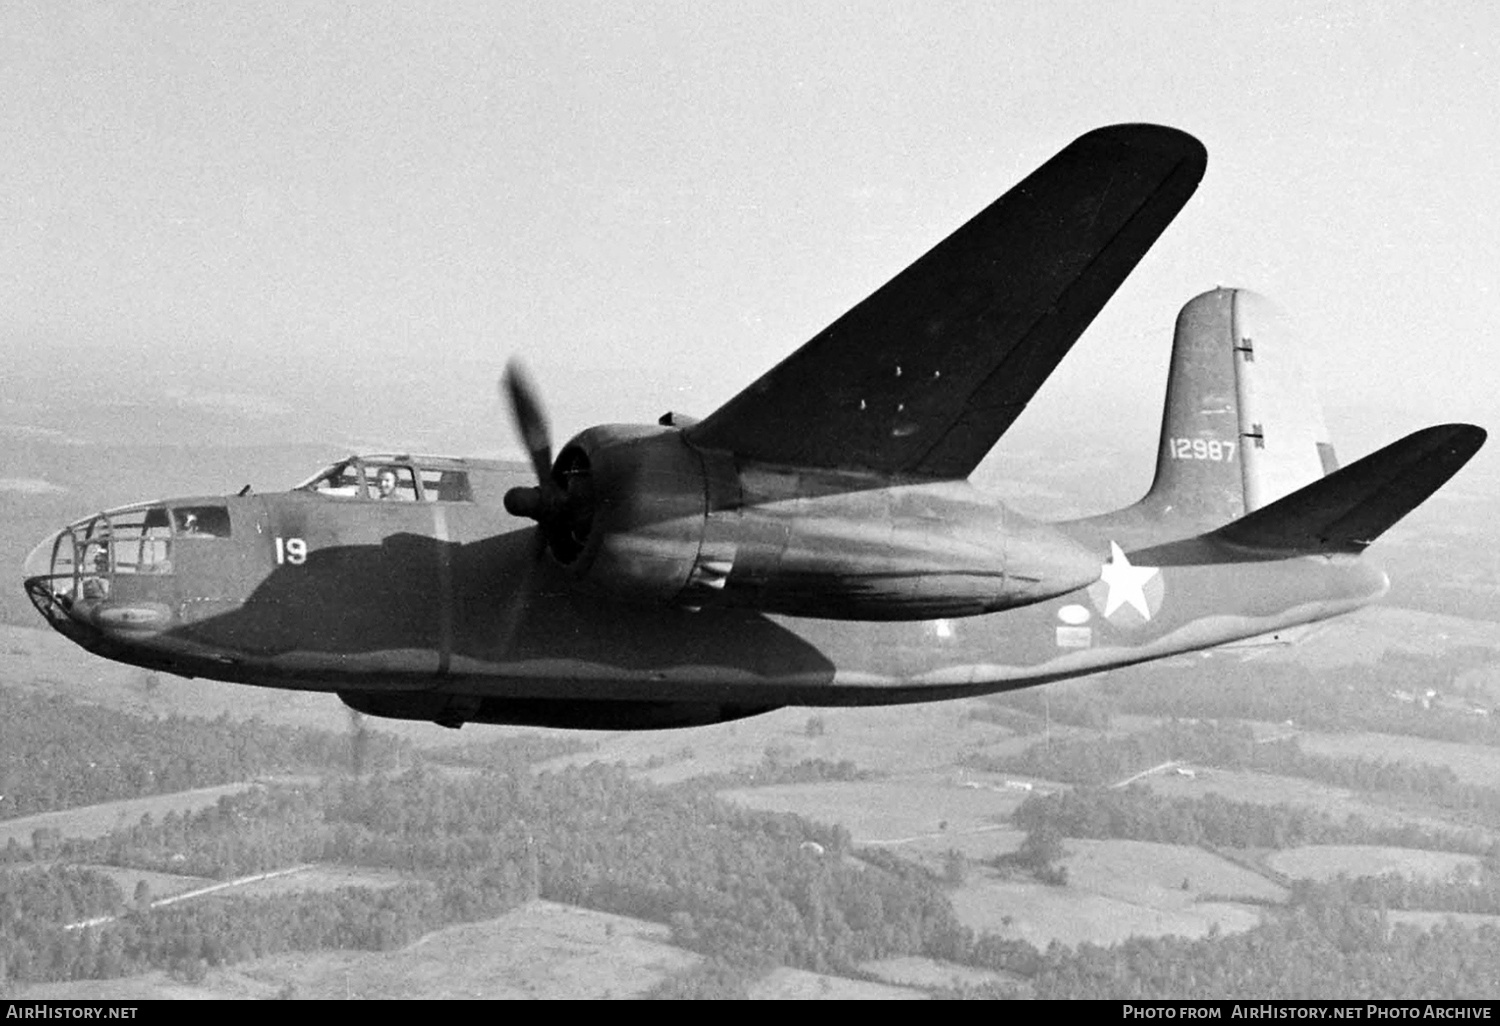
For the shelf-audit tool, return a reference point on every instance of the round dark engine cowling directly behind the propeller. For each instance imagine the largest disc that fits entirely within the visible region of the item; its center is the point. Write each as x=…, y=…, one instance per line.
x=641, y=499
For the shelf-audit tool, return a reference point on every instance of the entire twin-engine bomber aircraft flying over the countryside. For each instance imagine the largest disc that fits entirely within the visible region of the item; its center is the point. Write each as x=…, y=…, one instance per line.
x=815, y=541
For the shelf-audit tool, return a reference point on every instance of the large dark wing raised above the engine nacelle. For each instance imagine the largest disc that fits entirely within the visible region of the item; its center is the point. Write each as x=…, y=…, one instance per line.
x=928, y=373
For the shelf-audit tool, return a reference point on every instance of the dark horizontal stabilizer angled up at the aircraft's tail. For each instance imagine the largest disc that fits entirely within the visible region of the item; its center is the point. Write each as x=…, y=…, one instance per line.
x=1351, y=508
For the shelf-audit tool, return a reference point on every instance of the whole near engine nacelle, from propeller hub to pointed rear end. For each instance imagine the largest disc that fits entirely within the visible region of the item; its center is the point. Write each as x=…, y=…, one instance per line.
x=638, y=515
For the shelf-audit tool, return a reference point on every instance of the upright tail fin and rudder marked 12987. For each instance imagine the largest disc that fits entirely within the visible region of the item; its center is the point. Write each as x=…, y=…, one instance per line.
x=1243, y=425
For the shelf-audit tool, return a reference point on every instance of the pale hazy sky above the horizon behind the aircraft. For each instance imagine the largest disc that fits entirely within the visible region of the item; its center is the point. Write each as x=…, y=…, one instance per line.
x=359, y=212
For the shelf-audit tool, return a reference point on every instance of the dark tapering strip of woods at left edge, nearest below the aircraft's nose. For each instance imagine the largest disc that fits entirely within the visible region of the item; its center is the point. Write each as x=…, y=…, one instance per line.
x=56, y=754
